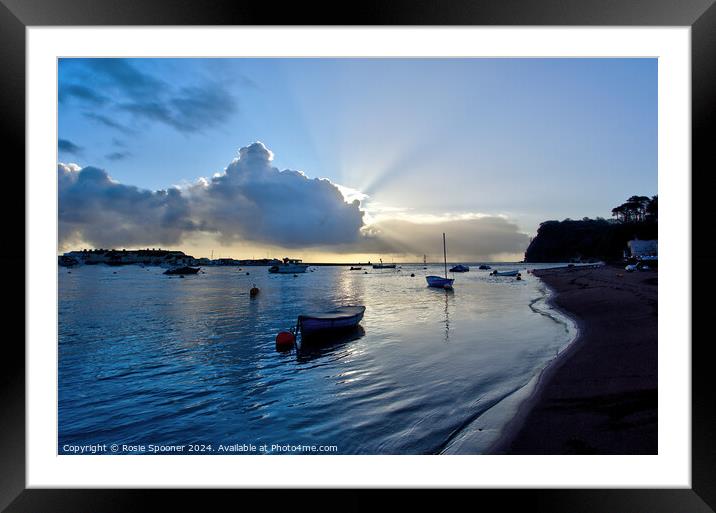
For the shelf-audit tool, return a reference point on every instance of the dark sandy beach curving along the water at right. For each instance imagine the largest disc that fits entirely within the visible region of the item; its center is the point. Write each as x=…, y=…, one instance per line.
x=600, y=396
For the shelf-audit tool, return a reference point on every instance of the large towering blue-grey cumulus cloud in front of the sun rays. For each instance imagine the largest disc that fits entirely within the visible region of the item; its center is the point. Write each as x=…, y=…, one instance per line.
x=254, y=200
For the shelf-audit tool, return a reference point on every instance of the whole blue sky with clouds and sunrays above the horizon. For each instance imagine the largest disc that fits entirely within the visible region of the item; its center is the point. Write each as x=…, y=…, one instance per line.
x=347, y=159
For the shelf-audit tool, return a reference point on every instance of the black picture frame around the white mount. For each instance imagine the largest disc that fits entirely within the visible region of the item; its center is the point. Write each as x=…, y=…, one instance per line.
x=700, y=15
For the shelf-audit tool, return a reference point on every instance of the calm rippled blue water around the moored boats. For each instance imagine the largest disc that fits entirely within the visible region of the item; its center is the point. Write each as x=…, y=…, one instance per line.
x=149, y=359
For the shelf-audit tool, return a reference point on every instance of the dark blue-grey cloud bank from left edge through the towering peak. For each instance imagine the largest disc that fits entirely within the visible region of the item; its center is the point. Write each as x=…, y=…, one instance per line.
x=251, y=200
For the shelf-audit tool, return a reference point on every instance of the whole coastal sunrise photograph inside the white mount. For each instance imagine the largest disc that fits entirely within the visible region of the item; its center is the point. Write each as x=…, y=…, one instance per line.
x=357, y=256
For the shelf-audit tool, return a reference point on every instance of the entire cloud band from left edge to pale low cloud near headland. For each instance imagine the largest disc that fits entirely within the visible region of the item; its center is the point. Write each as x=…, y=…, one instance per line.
x=253, y=201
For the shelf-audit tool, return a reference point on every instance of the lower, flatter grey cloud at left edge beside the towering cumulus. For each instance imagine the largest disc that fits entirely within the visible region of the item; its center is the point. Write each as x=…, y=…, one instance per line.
x=95, y=209
